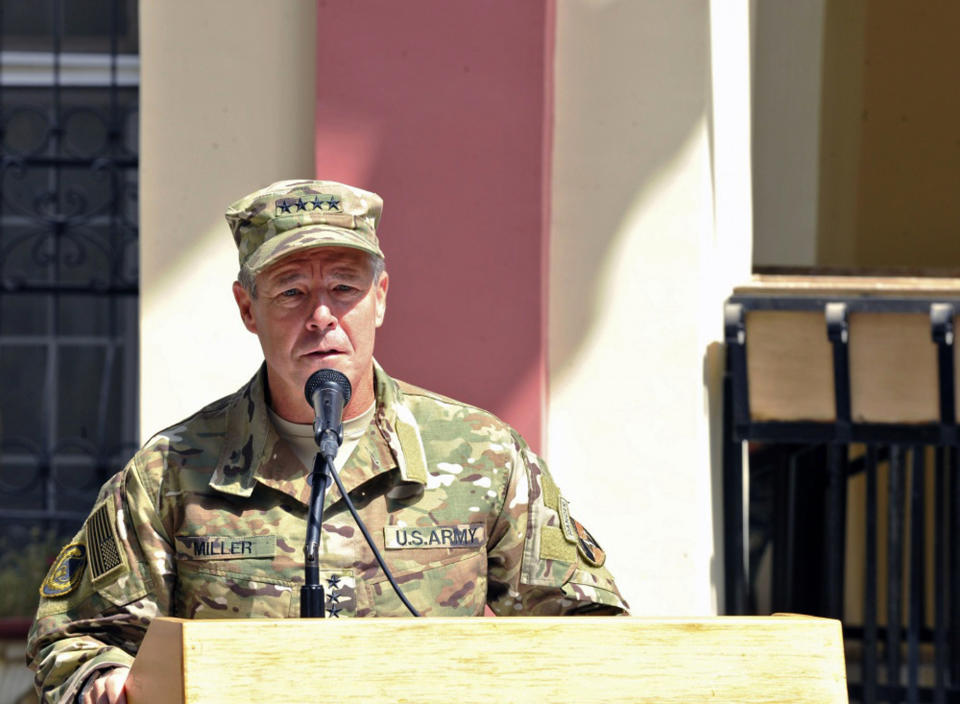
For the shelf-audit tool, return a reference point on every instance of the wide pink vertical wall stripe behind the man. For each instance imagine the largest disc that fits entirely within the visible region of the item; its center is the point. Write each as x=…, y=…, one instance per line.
x=444, y=108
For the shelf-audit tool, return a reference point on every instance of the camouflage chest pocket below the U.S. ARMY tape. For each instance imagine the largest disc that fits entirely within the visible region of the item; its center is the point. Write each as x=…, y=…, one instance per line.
x=455, y=587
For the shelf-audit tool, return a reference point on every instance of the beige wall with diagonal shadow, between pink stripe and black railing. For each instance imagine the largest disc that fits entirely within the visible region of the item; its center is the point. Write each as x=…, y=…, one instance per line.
x=651, y=228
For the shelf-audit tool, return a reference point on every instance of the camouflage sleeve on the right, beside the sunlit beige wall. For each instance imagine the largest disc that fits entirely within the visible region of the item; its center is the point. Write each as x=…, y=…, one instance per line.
x=543, y=562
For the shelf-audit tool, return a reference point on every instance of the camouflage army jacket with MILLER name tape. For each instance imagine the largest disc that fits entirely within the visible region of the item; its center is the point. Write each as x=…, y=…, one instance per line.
x=208, y=520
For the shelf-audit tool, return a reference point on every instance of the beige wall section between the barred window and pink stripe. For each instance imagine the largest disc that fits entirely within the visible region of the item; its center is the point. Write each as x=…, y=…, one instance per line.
x=227, y=104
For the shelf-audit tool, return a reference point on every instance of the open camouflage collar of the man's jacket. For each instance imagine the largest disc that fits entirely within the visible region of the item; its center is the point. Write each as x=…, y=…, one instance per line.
x=254, y=452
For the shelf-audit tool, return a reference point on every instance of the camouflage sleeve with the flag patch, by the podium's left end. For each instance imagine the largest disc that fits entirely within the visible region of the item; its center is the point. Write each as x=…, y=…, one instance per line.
x=103, y=590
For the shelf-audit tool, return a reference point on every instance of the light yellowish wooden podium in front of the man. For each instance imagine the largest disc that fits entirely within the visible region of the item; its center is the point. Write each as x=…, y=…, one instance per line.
x=738, y=659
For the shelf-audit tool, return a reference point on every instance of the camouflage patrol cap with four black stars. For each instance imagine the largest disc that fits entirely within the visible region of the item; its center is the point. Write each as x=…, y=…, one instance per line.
x=288, y=216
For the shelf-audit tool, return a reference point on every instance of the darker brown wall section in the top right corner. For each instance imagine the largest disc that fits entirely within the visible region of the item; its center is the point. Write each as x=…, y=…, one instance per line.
x=908, y=212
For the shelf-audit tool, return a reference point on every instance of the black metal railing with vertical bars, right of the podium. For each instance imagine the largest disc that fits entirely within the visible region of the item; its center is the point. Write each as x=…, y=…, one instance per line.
x=808, y=480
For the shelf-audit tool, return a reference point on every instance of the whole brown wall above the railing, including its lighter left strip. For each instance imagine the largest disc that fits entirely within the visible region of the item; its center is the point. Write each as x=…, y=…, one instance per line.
x=889, y=167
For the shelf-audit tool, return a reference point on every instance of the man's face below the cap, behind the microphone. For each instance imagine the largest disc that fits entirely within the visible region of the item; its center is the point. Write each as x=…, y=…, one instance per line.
x=317, y=309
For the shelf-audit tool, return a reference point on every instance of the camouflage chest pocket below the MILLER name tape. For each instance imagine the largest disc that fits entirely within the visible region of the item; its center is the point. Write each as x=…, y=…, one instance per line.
x=231, y=589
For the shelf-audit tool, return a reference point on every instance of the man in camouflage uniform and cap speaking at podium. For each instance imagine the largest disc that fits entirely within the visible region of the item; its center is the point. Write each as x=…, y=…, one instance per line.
x=208, y=519
